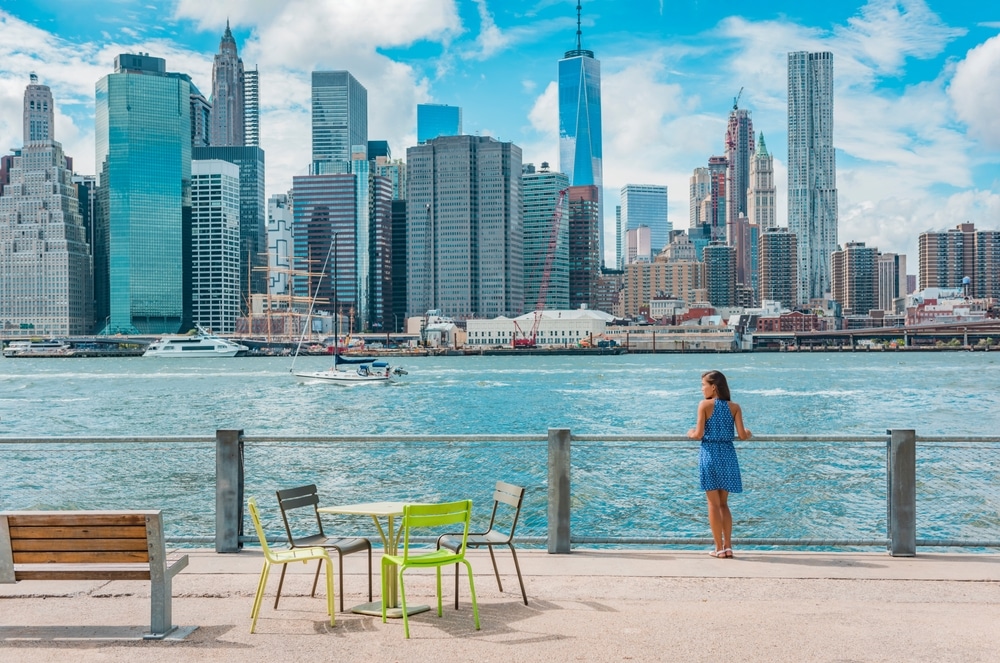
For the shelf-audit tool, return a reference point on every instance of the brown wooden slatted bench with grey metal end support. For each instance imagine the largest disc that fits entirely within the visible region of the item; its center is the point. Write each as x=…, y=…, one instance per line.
x=91, y=545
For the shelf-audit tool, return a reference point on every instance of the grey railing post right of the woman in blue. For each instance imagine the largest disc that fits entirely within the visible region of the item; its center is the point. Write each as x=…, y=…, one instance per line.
x=902, y=487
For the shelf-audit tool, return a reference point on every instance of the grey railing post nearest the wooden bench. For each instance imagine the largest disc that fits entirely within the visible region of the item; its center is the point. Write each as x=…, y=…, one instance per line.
x=228, y=490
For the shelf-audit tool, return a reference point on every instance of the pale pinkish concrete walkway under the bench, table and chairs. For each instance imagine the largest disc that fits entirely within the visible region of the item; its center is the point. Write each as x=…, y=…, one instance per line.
x=621, y=605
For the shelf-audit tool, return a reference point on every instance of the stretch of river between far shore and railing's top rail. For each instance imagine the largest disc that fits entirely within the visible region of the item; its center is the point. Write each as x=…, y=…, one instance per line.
x=850, y=393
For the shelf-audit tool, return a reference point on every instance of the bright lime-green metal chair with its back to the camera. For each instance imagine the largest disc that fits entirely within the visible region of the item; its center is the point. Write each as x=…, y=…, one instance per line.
x=429, y=516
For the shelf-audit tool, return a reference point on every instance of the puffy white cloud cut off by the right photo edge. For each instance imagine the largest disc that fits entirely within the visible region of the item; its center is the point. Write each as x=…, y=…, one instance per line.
x=975, y=93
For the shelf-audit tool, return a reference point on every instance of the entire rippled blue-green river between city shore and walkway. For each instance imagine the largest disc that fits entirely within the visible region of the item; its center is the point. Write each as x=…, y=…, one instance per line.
x=636, y=489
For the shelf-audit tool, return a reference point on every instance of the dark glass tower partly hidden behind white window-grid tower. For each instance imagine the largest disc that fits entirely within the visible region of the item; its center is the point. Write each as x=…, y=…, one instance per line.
x=253, y=214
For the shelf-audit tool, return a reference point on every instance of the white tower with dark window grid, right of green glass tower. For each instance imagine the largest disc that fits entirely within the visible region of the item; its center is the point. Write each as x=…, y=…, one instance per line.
x=215, y=244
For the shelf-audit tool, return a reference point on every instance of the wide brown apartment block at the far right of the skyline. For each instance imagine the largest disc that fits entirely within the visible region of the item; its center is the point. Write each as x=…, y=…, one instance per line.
x=946, y=258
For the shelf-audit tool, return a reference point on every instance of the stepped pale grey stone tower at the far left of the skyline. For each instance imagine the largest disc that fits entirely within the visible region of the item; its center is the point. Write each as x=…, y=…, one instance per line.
x=46, y=273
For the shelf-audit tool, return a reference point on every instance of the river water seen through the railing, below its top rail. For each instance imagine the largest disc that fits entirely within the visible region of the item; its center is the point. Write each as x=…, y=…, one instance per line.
x=593, y=490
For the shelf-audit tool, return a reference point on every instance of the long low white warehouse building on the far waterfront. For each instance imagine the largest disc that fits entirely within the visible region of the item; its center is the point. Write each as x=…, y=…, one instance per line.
x=555, y=328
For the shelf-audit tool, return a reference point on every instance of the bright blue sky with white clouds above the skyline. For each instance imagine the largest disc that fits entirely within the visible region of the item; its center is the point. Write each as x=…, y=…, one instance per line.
x=917, y=84
